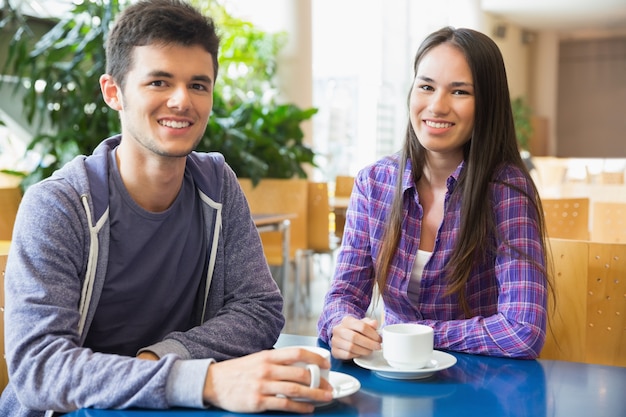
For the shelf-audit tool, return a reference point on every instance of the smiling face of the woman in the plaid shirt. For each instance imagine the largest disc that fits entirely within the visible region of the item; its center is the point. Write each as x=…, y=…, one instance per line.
x=442, y=102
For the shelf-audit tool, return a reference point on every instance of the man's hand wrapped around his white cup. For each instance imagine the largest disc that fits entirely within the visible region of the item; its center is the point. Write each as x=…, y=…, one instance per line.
x=266, y=381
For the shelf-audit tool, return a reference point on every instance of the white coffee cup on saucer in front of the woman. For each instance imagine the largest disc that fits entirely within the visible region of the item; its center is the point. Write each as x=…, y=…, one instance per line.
x=407, y=345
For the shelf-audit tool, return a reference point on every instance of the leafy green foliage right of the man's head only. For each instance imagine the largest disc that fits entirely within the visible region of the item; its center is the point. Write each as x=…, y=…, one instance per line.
x=259, y=136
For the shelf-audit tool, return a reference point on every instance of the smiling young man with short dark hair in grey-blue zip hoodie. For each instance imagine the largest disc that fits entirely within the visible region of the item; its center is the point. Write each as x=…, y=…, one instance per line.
x=136, y=276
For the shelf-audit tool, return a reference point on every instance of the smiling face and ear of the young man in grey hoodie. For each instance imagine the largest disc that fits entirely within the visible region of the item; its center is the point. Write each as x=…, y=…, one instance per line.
x=167, y=98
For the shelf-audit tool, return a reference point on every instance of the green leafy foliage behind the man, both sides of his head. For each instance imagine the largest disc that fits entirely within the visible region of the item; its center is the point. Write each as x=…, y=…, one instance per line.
x=258, y=136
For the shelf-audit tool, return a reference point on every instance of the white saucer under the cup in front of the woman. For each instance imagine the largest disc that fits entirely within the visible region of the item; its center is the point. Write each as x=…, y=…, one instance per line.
x=375, y=362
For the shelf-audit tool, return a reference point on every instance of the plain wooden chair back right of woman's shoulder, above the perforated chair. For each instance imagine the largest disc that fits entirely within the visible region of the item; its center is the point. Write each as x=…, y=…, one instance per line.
x=567, y=218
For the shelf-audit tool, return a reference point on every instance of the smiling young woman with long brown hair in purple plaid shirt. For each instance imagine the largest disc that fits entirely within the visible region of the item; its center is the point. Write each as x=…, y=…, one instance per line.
x=451, y=228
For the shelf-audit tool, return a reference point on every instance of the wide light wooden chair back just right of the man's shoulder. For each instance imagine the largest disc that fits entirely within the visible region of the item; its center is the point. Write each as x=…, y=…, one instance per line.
x=284, y=196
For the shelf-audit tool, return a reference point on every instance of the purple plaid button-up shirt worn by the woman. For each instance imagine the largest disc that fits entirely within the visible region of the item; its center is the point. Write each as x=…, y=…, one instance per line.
x=507, y=294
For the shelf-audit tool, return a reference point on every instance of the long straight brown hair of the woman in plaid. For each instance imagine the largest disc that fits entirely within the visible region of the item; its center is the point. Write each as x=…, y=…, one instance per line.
x=493, y=144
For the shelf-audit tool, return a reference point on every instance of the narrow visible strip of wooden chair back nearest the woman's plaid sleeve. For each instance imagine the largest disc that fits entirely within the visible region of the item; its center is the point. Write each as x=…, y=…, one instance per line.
x=318, y=221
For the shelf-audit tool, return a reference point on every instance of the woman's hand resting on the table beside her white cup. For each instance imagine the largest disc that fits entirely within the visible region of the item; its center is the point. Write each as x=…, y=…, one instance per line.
x=353, y=338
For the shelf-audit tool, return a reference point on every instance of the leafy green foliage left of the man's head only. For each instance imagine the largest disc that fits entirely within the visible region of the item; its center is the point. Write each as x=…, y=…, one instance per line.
x=60, y=72
